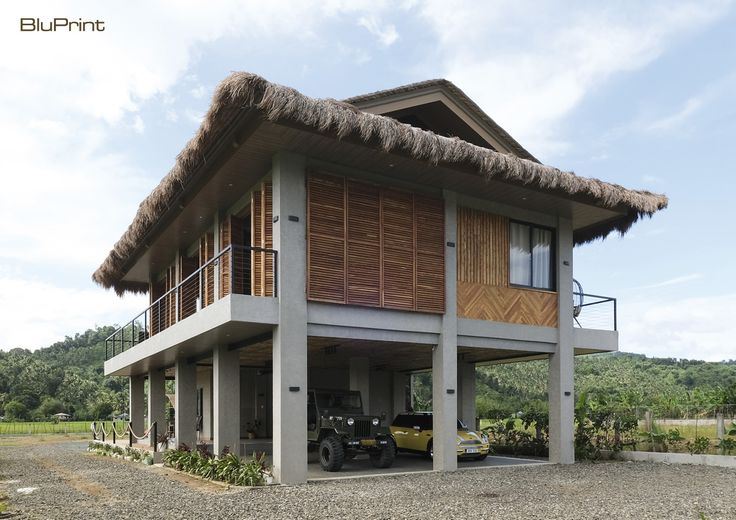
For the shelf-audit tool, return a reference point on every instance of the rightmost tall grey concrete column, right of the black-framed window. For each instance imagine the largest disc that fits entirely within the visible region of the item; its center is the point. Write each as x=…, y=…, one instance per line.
x=562, y=363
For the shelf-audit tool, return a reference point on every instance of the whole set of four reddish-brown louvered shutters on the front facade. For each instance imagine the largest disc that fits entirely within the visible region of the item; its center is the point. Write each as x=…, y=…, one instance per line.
x=374, y=246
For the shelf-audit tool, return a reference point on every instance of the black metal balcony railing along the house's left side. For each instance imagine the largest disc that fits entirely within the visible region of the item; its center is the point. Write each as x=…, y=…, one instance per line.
x=235, y=270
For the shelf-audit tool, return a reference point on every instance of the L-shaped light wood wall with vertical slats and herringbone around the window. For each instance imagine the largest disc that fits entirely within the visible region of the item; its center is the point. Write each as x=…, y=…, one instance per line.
x=483, y=290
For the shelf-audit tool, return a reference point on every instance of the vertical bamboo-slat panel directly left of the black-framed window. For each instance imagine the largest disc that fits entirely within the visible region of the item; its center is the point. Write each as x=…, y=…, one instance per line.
x=483, y=247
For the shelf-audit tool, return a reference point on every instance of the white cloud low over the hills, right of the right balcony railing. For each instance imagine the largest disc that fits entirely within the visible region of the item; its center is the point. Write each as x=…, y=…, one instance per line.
x=694, y=328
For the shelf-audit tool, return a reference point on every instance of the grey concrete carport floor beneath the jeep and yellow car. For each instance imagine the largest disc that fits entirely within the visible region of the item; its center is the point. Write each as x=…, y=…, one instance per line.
x=405, y=463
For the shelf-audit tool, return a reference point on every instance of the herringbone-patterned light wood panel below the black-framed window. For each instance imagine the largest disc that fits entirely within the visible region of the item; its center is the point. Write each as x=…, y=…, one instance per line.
x=507, y=304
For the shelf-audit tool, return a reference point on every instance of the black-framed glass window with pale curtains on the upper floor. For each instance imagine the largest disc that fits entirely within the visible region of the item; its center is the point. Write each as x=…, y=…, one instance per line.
x=531, y=256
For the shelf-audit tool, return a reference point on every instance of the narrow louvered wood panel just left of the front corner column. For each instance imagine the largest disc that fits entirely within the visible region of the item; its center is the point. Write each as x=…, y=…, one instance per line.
x=262, y=268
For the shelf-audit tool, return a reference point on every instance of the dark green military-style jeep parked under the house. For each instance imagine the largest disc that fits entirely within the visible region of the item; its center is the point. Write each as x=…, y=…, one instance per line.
x=337, y=426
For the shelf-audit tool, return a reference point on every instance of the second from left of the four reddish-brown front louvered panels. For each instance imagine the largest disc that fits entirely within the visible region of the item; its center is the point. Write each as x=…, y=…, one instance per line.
x=363, y=245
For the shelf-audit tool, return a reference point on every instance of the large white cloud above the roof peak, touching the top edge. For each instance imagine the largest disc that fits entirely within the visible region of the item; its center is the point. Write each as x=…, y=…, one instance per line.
x=530, y=64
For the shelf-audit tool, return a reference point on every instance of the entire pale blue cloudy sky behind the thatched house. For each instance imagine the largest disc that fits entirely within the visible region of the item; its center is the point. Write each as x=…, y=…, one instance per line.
x=641, y=94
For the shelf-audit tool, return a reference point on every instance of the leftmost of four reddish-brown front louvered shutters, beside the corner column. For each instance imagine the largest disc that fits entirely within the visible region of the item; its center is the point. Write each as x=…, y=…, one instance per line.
x=326, y=238
